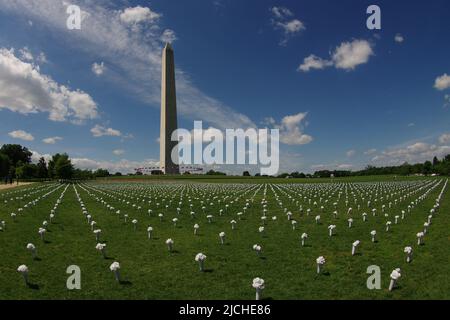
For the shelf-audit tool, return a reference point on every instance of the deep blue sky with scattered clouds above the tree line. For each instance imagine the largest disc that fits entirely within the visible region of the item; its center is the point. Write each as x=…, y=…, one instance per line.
x=363, y=96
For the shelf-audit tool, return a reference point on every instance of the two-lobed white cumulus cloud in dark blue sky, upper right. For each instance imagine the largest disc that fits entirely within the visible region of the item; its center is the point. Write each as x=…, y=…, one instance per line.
x=346, y=56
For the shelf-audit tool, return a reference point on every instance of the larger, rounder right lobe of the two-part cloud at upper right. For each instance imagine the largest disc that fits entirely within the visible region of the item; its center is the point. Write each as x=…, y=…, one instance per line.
x=351, y=54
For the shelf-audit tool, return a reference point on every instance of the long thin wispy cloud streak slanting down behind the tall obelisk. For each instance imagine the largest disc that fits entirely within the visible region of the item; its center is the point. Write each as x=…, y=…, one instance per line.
x=134, y=56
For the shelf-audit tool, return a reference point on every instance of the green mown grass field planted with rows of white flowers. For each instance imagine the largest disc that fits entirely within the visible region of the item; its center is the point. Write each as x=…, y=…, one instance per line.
x=150, y=271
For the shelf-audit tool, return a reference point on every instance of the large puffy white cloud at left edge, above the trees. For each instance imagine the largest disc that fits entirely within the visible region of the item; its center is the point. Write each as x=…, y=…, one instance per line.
x=25, y=90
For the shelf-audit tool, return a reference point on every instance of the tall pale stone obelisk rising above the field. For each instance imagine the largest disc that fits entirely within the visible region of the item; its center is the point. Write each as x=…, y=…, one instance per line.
x=168, y=113
